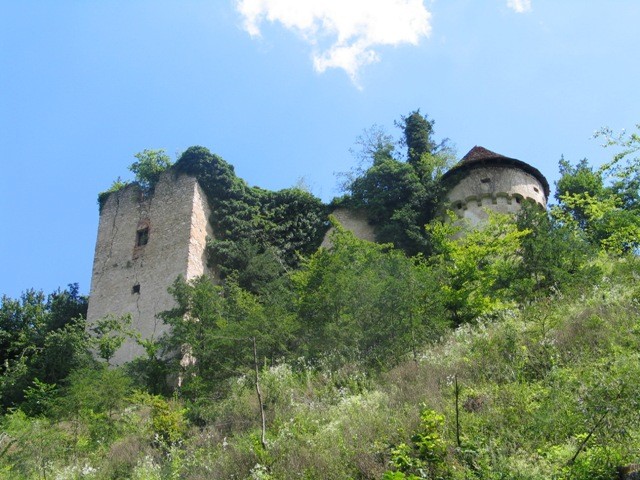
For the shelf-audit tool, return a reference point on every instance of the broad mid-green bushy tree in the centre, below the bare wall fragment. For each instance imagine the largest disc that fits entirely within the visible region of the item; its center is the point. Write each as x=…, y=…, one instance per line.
x=360, y=301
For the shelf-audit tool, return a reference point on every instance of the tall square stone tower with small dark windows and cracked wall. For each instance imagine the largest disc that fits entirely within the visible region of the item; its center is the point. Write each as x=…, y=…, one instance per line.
x=144, y=243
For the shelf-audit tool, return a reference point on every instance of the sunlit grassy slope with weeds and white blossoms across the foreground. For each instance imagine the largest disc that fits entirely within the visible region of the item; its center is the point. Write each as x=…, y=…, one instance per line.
x=533, y=385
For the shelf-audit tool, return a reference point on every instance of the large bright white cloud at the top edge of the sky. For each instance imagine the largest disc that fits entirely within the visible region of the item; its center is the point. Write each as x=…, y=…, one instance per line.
x=343, y=33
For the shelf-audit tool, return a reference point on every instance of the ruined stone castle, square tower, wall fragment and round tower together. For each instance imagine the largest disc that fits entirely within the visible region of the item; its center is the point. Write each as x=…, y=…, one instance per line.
x=146, y=240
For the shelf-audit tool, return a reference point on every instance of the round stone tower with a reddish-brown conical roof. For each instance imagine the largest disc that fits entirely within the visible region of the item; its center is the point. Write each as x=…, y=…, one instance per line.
x=484, y=180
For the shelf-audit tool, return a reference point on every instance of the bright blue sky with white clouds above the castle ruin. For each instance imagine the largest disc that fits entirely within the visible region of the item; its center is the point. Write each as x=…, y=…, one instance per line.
x=281, y=89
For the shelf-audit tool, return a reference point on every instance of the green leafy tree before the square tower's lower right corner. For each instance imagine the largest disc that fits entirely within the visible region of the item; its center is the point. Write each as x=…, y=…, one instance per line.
x=216, y=324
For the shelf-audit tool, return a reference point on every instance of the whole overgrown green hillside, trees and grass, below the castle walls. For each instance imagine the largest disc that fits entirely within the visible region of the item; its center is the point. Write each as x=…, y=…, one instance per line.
x=508, y=351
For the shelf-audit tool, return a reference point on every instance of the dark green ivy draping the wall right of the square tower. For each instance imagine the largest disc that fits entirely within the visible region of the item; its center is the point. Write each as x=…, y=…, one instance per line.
x=257, y=231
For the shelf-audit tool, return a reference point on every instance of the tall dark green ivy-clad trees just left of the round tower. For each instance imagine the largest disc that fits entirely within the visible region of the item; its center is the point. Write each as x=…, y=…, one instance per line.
x=400, y=198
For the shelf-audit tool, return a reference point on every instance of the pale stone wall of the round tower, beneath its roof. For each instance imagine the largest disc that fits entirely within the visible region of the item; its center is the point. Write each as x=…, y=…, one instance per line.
x=499, y=188
